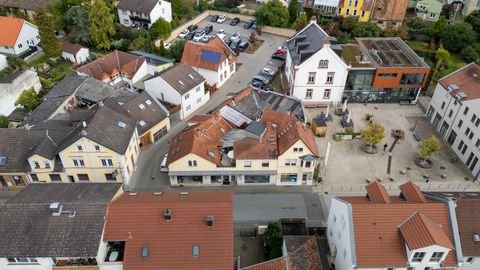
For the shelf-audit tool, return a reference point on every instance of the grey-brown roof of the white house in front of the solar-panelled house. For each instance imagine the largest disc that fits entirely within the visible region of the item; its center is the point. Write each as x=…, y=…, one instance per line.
x=182, y=77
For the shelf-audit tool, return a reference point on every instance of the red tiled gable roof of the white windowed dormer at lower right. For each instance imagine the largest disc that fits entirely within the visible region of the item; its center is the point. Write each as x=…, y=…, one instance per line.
x=419, y=231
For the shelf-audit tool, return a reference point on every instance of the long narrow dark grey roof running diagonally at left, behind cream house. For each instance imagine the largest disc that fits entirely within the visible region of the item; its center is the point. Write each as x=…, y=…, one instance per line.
x=52, y=100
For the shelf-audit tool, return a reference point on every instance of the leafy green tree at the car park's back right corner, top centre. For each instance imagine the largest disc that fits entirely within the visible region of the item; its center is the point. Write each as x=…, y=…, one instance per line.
x=273, y=13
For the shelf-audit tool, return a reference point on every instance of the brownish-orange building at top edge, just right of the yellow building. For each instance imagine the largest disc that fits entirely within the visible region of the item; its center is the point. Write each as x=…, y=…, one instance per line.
x=389, y=13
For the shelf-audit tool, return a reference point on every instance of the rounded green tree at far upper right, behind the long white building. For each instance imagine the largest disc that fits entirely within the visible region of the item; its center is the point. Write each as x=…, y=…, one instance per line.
x=457, y=36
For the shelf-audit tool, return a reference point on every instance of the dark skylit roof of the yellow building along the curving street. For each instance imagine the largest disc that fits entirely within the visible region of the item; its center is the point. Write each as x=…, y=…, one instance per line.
x=147, y=109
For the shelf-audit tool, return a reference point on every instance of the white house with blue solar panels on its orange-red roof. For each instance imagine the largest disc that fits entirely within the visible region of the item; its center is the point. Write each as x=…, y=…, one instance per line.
x=215, y=61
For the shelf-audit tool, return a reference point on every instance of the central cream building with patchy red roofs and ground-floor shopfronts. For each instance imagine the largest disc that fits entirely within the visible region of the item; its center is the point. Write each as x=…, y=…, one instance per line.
x=231, y=148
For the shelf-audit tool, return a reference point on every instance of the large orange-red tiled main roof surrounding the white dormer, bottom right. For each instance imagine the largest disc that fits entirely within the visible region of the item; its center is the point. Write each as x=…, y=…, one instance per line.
x=378, y=241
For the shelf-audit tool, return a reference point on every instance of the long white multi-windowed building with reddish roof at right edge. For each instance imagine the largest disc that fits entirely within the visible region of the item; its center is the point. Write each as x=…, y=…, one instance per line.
x=454, y=112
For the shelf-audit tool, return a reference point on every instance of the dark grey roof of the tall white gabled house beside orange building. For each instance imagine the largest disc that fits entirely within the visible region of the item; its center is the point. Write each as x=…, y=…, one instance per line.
x=307, y=42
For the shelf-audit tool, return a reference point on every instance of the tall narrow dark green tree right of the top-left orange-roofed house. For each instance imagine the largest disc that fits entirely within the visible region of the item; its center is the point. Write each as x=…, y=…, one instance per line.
x=44, y=22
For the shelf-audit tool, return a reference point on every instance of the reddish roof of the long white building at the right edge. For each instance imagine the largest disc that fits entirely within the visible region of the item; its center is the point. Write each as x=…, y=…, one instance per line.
x=467, y=79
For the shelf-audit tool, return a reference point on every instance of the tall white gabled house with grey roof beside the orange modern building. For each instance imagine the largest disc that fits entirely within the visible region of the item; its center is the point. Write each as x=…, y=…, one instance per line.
x=313, y=67
